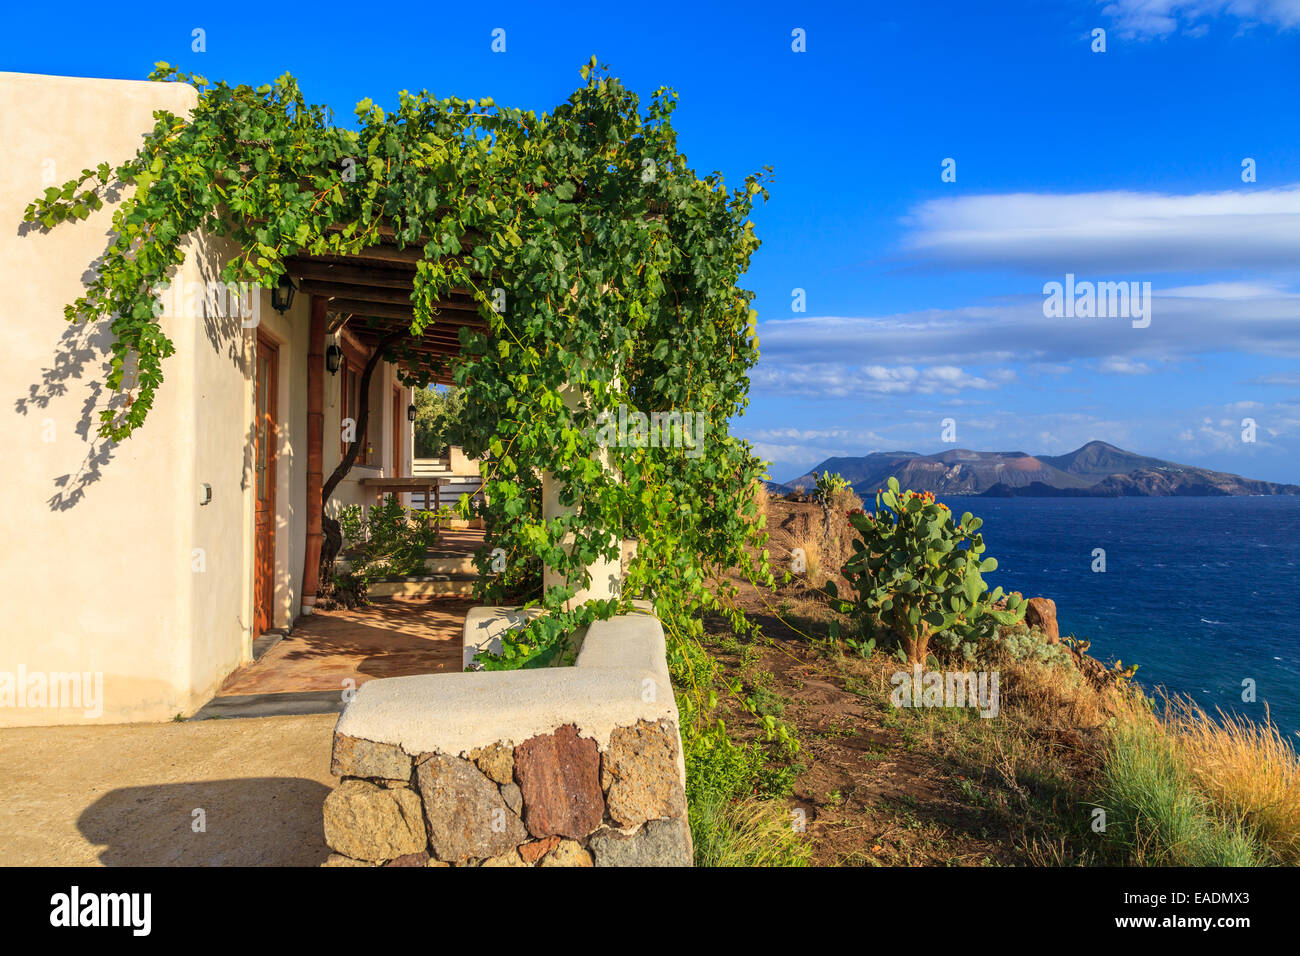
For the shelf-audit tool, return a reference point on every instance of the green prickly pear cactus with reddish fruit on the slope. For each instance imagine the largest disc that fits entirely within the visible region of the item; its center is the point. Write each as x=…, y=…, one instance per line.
x=917, y=573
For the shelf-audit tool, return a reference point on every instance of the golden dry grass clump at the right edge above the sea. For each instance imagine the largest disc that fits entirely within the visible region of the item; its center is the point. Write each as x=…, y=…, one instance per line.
x=1247, y=769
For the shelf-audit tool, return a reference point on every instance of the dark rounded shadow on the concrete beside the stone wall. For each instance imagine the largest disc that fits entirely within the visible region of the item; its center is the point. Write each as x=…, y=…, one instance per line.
x=265, y=821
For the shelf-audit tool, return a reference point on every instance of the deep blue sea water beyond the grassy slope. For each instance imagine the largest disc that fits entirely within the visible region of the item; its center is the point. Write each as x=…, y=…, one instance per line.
x=1203, y=594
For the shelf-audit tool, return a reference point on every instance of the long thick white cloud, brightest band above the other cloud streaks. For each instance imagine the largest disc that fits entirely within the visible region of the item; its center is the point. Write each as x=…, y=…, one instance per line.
x=1123, y=232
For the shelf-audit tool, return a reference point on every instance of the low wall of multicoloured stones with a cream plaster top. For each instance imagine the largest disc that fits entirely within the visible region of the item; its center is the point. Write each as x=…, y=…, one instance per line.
x=573, y=767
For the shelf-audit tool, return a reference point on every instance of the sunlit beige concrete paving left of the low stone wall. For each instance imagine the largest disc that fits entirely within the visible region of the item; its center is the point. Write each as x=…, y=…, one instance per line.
x=125, y=795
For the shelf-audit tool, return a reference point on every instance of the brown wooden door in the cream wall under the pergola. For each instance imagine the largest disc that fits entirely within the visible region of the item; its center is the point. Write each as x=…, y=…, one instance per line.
x=265, y=486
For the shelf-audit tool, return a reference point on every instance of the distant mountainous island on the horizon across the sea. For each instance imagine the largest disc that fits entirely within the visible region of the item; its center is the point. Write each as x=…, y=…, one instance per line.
x=1097, y=470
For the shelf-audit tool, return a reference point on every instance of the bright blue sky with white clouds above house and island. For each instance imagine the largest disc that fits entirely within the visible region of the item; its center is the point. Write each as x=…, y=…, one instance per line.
x=924, y=299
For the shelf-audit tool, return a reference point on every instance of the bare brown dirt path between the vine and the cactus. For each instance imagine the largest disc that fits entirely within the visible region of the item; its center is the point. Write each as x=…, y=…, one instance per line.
x=879, y=786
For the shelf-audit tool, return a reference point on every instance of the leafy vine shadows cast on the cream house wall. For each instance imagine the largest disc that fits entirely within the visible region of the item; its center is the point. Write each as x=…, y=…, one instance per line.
x=84, y=353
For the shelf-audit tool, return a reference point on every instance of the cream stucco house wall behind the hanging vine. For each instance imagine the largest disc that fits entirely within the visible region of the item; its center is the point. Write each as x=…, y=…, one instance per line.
x=136, y=563
